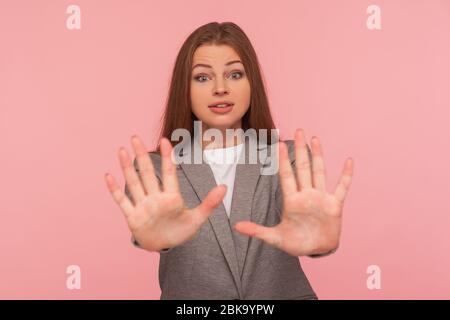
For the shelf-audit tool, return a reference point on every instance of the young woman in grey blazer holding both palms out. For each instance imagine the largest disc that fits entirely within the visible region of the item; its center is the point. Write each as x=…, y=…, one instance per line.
x=225, y=231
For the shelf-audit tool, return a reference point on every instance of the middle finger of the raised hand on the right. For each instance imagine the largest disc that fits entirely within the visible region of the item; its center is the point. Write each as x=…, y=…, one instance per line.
x=302, y=163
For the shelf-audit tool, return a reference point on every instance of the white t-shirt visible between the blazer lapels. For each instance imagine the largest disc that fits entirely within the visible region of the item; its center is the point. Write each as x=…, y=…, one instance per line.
x=223, y=165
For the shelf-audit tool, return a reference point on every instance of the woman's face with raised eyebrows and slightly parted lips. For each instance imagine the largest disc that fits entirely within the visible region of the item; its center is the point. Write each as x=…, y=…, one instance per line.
x=218, y=76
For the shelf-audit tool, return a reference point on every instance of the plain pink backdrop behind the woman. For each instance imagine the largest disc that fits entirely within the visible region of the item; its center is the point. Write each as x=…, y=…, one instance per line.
x=70, y=98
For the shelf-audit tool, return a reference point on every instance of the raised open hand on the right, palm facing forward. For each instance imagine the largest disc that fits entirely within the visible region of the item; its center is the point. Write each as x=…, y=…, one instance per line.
x=311, y=217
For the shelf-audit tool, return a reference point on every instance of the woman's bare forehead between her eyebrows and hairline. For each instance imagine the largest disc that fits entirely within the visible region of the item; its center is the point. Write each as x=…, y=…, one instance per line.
x=215, y=54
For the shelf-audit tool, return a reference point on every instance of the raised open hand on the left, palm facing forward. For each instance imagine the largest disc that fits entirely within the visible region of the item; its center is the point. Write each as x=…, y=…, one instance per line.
x=158, y=218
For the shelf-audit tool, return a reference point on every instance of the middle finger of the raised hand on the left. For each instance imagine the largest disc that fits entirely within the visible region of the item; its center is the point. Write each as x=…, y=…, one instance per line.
x=146, y=169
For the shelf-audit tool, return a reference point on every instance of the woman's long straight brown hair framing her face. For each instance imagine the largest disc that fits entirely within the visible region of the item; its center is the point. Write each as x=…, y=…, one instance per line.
x=178, y=112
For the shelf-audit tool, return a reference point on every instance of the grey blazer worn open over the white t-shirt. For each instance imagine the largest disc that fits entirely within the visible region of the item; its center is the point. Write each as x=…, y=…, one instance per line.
x=220, y=263
